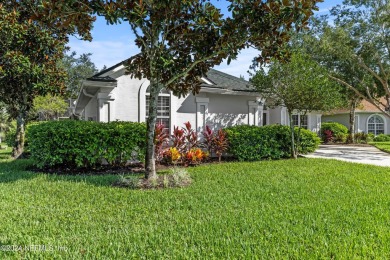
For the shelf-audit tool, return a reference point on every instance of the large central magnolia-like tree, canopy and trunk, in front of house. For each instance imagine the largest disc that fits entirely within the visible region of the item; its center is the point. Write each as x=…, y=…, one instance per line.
x=180, y=41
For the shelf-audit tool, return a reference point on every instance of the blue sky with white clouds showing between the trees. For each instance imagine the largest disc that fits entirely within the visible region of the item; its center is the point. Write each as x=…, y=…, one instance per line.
x=112, y=44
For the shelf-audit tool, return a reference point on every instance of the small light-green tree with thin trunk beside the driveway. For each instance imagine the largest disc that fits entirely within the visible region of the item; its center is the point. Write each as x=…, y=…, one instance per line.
x=301, y=85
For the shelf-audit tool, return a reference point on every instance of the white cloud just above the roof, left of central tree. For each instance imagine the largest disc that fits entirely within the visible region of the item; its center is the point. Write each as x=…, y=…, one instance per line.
x=104, y=52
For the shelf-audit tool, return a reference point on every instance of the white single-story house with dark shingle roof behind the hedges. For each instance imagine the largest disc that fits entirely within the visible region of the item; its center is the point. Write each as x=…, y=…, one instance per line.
x=223, y=101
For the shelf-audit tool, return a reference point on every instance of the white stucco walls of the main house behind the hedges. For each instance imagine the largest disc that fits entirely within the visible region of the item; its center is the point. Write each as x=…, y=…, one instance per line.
x=219, y=110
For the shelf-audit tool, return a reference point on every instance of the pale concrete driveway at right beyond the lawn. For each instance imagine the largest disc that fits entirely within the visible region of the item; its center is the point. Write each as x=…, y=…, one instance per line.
x=356, y=154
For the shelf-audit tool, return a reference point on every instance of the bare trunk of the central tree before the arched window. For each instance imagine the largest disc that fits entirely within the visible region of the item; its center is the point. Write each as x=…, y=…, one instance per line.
x=150, y=160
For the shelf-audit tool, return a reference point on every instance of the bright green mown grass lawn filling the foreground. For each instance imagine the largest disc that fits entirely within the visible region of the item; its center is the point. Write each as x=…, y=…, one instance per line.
x=307, y=208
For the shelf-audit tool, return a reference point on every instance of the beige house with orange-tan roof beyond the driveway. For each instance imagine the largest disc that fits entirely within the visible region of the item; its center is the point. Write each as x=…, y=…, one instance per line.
x=368, y=119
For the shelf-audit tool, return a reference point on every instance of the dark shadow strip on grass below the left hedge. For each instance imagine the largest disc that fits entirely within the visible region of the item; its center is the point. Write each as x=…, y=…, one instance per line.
x=16, y=170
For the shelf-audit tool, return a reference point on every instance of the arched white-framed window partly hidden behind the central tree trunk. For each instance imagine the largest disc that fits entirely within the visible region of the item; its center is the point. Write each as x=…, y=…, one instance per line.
x=163, y=107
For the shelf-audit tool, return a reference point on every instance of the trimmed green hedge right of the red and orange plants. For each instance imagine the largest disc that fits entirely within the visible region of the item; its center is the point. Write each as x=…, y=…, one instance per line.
x=252, y=143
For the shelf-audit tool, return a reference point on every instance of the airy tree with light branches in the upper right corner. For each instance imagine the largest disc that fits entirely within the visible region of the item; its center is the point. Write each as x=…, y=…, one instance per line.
x=359, y=43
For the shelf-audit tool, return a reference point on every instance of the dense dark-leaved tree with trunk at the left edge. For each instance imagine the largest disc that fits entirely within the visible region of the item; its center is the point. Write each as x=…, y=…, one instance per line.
x=33, y=34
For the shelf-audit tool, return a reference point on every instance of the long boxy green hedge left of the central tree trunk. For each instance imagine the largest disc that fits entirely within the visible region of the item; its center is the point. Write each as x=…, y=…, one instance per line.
x=84, y=144
